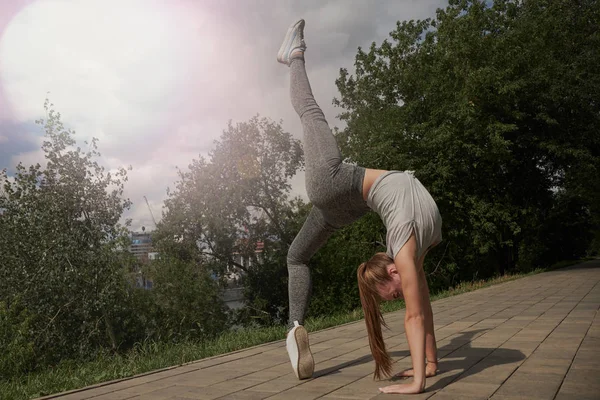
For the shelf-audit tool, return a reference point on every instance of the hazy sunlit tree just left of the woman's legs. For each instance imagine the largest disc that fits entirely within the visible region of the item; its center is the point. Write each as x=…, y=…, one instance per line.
x=224, y=207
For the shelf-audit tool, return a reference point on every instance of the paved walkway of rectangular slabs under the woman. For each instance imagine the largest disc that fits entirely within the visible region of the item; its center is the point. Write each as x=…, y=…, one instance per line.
x=533, y=338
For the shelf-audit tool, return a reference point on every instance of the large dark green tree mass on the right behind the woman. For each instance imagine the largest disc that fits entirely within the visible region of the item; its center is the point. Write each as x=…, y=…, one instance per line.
x=495, y=107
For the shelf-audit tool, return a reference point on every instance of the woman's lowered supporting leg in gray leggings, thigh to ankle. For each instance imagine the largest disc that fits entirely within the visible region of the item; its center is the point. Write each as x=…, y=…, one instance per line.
x=312, y=236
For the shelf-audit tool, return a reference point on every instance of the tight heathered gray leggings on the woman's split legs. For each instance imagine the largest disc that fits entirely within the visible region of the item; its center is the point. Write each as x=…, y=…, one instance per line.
x=334, y=188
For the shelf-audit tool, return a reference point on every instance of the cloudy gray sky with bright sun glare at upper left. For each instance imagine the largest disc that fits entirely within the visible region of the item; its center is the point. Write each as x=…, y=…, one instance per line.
x=157, y=80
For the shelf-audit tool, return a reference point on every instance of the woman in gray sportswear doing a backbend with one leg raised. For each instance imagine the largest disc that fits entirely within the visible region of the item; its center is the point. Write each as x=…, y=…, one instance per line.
x=340, y=194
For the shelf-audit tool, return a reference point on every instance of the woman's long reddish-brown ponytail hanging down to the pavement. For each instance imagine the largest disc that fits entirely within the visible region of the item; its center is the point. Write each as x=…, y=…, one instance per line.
x=370, y=275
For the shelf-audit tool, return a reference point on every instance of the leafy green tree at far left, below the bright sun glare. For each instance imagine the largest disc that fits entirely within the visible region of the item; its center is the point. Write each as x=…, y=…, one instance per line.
x=60, y=242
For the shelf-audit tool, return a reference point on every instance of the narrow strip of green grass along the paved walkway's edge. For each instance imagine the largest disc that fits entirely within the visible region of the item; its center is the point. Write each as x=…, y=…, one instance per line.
x=152, y=355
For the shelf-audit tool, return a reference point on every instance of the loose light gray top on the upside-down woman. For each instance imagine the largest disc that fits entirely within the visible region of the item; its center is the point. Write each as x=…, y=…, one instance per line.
x=405, y=206
